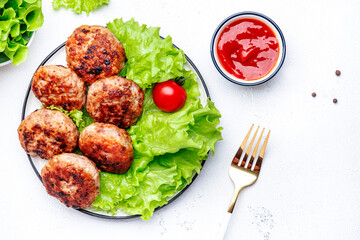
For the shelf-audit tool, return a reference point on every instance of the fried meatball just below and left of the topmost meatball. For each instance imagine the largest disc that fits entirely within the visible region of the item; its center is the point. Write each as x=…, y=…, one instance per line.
x=59, y=86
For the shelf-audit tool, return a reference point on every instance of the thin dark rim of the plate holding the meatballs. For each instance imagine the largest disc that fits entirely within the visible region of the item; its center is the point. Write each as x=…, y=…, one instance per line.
x=95, y=213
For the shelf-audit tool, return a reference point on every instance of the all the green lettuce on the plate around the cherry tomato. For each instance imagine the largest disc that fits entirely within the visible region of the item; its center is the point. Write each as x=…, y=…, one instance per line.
x=168, y=147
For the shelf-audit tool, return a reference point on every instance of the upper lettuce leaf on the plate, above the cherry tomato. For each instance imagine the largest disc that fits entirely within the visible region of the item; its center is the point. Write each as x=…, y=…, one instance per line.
x=150, y=58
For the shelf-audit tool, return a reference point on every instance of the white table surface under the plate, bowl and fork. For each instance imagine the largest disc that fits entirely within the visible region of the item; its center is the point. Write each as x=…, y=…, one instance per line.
x=309, y=184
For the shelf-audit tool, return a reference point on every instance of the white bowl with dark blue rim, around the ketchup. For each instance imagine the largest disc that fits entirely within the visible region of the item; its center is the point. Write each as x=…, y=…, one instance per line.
x=248, y=15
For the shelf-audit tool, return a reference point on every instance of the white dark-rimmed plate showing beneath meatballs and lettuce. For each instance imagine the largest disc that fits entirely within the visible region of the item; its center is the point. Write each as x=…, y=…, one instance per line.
x=31, y=103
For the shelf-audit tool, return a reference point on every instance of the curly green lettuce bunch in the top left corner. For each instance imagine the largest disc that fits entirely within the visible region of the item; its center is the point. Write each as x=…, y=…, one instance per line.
x=18, y=21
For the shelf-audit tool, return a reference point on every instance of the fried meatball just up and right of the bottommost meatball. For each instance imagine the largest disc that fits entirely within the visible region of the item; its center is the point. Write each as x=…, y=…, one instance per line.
x=108, y=146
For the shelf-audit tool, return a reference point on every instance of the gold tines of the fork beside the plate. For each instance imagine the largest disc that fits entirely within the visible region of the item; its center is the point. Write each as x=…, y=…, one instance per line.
x=260, y=156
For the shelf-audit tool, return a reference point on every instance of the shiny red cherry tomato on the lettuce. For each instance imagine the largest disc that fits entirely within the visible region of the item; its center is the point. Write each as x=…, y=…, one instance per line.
x=169, y=96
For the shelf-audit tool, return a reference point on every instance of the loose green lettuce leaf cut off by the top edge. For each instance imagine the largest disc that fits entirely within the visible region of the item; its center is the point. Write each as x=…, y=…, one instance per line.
x=79, y=6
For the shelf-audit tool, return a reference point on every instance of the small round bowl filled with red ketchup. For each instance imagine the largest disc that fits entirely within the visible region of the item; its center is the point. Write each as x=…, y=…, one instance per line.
x=248, y=48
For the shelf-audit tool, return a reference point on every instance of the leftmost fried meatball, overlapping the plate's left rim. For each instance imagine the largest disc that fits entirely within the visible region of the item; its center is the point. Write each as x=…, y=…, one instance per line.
x=46, y=133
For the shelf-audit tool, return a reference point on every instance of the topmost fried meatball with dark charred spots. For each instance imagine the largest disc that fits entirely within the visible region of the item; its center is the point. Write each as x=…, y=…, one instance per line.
x=94, y=52
